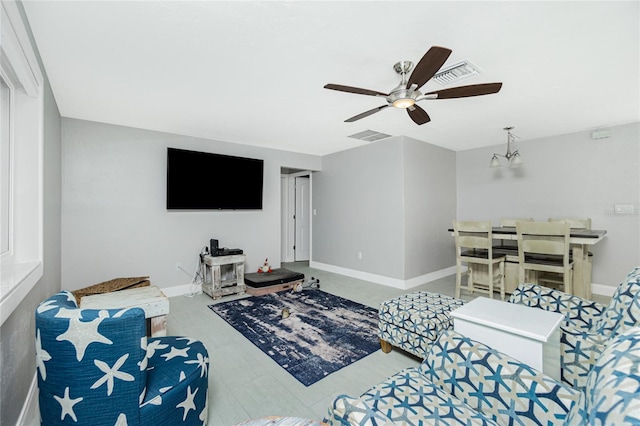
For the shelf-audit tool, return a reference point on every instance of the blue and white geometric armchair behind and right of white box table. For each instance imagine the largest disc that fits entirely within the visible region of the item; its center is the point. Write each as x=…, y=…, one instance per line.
x=589, y=325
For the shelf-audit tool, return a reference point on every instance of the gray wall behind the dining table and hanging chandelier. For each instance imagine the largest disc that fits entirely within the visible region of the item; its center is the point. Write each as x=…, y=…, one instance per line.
x=568, y=175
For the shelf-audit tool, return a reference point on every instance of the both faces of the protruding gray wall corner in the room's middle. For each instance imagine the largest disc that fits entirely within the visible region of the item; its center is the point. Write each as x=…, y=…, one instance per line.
x=392, y=200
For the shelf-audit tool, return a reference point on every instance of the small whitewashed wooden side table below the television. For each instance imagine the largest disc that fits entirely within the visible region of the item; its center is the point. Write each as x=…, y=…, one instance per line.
x=214, y=285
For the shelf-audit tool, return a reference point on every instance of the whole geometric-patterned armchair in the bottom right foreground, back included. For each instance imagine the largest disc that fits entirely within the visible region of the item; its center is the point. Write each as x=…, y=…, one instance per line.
x=463, y=382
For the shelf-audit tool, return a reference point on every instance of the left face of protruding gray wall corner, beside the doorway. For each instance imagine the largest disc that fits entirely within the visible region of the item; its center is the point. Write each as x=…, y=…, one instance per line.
x=358, y=204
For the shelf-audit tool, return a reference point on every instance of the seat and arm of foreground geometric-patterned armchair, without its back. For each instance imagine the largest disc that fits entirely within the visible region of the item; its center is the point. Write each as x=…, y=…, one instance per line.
x=460, y=382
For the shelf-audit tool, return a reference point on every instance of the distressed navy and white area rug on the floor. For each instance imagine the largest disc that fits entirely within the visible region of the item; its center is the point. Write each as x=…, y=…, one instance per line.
x=322, y=334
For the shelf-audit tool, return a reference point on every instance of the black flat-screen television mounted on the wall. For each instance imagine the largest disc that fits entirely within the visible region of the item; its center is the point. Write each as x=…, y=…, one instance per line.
x=207, y=181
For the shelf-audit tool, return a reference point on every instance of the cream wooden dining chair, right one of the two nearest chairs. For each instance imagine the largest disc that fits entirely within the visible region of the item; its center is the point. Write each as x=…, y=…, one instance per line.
x=543, y=247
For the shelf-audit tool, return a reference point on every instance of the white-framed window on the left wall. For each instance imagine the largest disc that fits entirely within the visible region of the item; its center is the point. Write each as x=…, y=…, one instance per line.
x=21, y=158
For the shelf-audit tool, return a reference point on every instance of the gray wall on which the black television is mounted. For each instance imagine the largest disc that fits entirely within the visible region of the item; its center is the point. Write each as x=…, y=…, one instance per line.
x=114, y=217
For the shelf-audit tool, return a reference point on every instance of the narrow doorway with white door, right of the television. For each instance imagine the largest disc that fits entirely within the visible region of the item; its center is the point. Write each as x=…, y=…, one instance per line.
x=296, y=216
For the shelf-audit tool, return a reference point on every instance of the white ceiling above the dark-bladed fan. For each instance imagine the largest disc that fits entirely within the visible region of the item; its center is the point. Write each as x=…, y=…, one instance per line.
x=253, y=72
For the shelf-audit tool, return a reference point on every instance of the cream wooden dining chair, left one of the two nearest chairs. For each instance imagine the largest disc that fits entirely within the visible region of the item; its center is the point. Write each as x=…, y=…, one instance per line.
x=485, y=269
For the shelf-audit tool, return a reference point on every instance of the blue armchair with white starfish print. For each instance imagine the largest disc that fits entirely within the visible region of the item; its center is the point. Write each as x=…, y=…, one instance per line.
x=97, y=367
